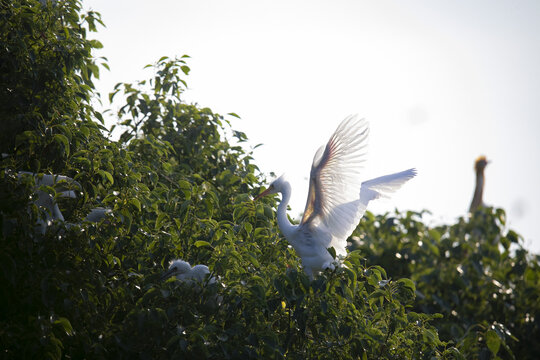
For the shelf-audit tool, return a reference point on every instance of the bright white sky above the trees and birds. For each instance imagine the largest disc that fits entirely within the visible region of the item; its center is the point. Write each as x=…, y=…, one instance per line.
x=441, y=83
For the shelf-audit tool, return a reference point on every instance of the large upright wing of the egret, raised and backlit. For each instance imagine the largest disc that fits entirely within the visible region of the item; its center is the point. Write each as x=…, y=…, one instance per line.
x=333, y=198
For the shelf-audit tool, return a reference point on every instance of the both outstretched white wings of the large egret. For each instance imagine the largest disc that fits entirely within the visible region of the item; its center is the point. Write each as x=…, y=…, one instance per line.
x=337, y=199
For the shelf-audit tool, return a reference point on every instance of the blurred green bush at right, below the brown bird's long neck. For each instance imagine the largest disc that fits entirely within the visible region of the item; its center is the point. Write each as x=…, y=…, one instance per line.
x=474, y=272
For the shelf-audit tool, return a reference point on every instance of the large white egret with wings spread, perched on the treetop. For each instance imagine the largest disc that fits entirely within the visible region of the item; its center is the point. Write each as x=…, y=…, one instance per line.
x=336, y=200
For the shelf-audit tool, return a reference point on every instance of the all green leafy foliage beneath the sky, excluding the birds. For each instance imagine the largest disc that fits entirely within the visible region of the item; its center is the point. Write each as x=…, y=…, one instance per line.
x=179, y=187
